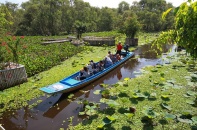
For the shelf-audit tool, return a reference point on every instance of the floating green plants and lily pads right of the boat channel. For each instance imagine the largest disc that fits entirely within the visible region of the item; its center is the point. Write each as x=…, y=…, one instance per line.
x=169, y=82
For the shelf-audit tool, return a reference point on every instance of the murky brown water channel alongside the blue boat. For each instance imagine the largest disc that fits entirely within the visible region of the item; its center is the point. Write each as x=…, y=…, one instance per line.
x=43, y=117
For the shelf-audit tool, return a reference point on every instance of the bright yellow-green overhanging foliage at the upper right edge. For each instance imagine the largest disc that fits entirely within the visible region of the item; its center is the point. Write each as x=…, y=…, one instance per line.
x=184, y=33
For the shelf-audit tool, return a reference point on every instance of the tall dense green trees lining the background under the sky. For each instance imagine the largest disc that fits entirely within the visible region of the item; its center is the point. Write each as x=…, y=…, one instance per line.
x=57, y=17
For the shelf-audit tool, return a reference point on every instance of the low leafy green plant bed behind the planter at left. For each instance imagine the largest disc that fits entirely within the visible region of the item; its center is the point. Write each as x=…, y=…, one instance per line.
x=36, y=57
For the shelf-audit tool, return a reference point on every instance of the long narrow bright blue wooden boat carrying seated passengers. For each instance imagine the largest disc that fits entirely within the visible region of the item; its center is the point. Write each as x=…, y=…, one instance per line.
x=70, y=83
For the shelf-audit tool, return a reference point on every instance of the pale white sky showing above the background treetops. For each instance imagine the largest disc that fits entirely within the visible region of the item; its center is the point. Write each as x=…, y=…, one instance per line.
x=103, y=3
